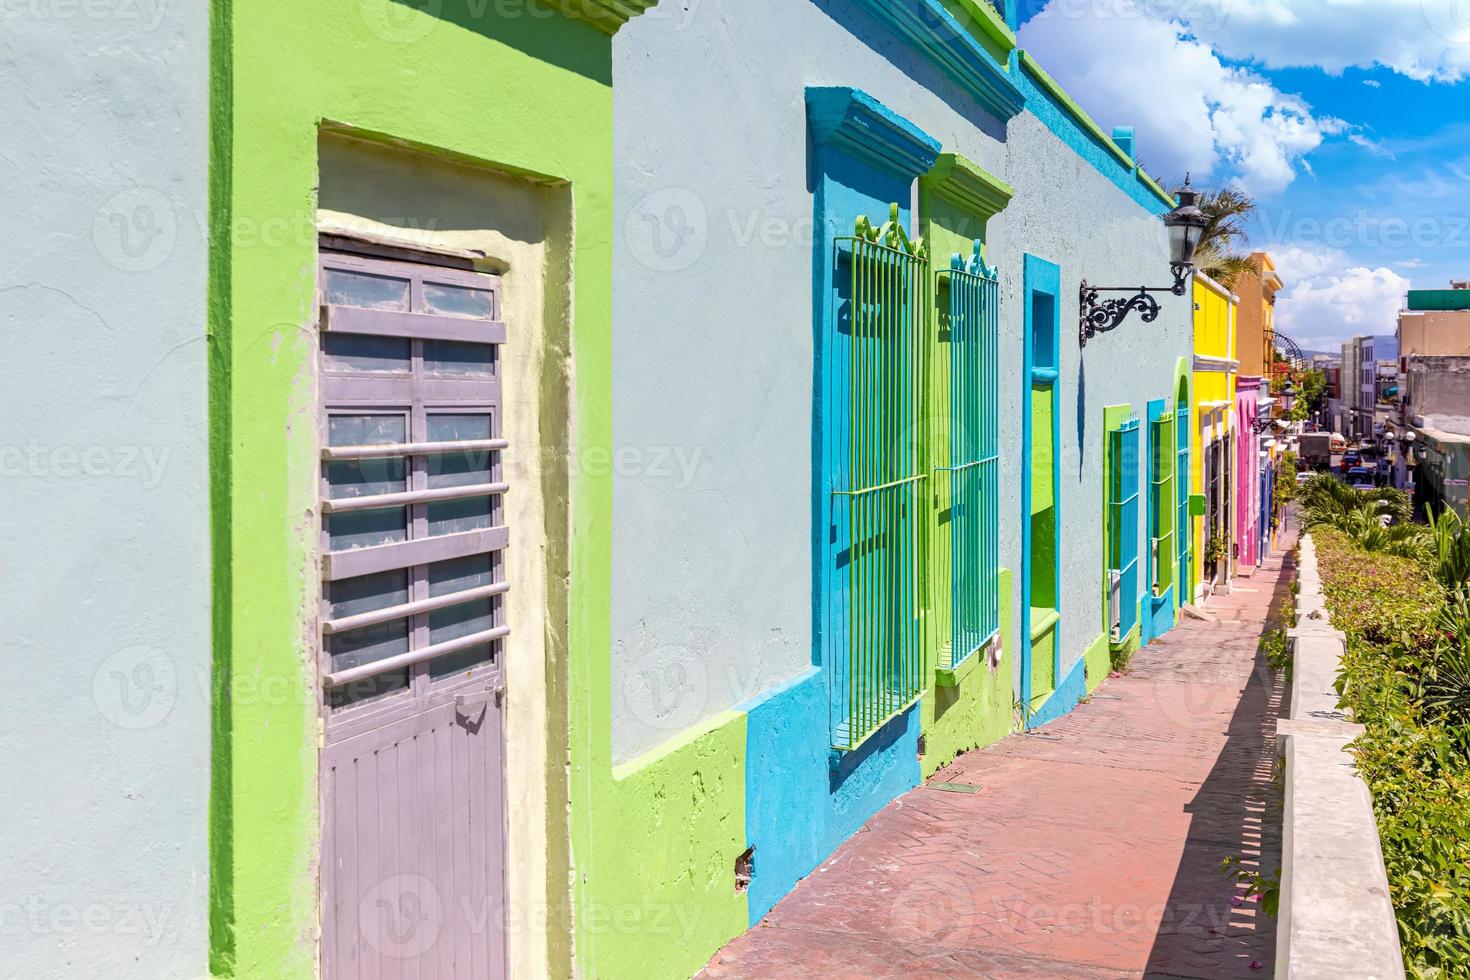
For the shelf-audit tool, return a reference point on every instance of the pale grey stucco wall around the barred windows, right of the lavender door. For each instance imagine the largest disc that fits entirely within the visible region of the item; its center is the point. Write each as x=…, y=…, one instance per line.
x=712, y=352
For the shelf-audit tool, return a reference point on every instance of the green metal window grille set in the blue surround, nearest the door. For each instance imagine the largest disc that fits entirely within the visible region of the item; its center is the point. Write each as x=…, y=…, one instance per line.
x=877, y=657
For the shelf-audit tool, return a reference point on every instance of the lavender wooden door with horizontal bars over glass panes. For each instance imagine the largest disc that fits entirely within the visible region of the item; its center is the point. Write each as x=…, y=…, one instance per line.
x=414, y=627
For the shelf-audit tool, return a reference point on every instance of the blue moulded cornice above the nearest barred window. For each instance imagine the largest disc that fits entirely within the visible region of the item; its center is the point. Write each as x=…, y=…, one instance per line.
x=853, y=121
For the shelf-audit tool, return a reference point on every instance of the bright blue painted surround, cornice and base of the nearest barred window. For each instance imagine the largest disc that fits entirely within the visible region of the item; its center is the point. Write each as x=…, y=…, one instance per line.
x=802, y=799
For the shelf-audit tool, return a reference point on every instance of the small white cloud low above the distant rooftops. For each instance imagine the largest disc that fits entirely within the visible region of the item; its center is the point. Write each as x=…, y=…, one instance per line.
x=1330, y=300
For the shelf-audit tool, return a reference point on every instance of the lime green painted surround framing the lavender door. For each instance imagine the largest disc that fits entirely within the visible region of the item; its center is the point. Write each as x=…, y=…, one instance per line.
x=528, y=96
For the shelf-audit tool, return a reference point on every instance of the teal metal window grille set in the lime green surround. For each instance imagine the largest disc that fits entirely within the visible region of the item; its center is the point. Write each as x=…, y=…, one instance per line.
x=972, y=318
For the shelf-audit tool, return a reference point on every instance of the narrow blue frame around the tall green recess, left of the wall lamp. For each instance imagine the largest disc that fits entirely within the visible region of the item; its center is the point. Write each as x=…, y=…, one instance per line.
x=1039, y=278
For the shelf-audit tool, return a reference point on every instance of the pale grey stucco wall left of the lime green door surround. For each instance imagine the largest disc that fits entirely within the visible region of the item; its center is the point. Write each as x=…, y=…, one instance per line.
x=105, y=587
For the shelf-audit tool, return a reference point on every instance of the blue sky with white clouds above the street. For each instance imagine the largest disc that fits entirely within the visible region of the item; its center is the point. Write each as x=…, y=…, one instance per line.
x=1347, y=120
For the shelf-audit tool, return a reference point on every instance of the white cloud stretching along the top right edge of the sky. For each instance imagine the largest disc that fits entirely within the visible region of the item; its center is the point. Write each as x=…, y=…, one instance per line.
x=1427, y=40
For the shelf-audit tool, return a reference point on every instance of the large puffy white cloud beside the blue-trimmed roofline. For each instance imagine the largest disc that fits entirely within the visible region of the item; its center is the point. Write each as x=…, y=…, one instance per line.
x=1193, y=112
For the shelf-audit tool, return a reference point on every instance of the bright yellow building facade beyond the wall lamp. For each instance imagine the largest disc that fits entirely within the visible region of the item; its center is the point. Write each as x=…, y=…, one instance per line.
x=1212, y=450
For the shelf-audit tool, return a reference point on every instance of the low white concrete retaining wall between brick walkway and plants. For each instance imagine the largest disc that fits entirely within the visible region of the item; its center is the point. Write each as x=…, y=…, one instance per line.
x=1337, y=919
